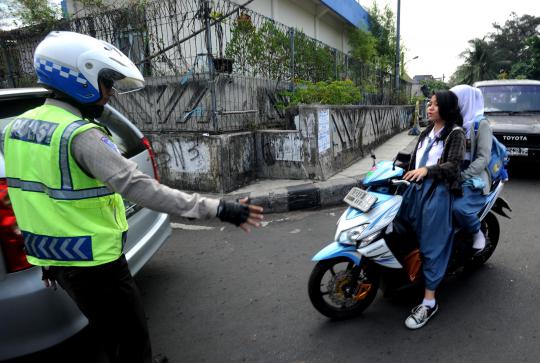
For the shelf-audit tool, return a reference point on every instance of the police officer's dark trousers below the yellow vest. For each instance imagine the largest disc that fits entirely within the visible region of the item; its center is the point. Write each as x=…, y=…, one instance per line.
x=108, y=297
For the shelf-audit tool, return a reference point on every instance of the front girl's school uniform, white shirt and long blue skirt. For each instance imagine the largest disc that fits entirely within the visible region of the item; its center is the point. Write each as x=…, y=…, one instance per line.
x=427, y=206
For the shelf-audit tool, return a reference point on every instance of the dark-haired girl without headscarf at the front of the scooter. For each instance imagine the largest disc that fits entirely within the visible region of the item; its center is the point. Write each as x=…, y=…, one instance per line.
x=427, y=206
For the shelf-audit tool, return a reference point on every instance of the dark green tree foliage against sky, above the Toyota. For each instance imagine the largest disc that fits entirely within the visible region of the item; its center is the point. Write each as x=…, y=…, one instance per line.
x=512, y=50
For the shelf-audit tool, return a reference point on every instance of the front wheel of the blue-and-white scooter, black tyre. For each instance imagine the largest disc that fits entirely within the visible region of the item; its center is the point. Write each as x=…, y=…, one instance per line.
x=339, y=289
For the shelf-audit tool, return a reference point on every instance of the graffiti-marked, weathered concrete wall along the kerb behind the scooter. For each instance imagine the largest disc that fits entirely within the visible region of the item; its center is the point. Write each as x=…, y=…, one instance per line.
x=327, y=140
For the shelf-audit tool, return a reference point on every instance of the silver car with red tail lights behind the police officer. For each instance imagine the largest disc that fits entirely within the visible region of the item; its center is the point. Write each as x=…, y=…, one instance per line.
x=33, y=317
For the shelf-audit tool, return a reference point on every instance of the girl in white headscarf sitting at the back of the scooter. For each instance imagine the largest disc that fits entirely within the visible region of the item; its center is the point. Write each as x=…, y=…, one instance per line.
x=474, y=177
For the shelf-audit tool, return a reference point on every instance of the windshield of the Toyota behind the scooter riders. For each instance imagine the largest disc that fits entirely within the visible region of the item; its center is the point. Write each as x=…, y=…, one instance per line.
x=511, y=98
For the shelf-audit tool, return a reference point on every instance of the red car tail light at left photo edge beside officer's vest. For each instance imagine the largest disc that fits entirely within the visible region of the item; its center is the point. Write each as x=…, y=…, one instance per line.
x=11, y=239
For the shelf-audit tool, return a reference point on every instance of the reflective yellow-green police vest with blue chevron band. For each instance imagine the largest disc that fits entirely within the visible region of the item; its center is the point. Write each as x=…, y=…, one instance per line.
x=67, y=218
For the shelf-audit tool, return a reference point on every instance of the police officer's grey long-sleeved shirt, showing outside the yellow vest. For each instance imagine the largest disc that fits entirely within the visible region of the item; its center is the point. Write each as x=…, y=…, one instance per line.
x=121, y=175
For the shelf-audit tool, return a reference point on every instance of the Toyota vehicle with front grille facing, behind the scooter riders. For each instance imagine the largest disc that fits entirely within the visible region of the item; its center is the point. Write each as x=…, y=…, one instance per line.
x=513, y=109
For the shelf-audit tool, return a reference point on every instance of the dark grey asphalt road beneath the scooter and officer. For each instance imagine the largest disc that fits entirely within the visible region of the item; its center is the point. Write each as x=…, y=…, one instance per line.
x=220, y=295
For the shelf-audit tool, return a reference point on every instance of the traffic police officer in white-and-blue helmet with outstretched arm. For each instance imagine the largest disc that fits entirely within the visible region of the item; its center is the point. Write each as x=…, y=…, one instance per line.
x=66, y=180
